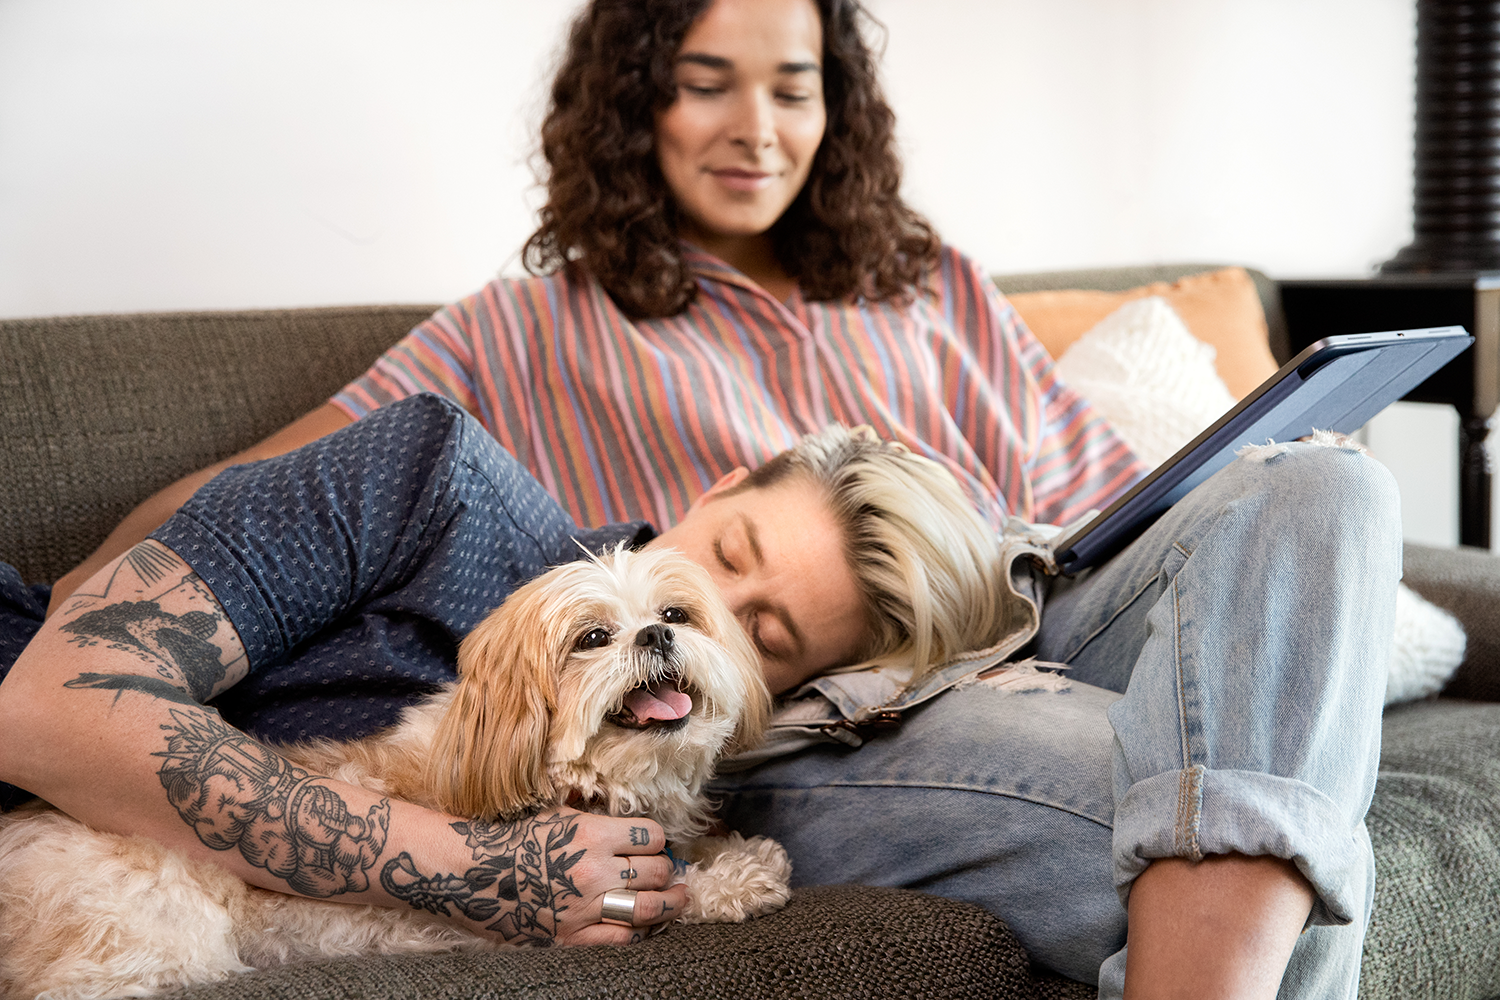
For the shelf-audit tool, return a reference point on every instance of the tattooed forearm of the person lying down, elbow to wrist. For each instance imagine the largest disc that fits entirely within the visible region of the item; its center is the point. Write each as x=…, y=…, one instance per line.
x=188, y=780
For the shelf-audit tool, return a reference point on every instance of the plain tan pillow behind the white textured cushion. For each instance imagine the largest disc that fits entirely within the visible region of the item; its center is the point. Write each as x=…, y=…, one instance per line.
x=1220, y=308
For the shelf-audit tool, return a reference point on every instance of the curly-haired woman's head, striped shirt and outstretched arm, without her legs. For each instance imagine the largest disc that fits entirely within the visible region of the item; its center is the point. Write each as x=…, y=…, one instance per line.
x=724, y=263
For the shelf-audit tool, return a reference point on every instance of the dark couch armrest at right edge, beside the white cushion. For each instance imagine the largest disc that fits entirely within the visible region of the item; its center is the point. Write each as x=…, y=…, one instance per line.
x=1466, y=582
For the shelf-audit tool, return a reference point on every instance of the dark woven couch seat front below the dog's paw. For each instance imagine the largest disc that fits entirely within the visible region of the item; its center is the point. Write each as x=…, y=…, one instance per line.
x=830, y=942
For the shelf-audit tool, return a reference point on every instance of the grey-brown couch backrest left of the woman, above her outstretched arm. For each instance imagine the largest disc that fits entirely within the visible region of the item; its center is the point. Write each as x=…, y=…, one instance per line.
x=98, y=413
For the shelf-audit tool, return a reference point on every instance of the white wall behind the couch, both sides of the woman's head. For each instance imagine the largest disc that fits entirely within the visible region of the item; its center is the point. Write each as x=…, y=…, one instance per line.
x=194, y=155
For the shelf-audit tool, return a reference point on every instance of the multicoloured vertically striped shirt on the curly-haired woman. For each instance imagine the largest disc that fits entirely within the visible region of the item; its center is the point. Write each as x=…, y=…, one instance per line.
x=632, y=419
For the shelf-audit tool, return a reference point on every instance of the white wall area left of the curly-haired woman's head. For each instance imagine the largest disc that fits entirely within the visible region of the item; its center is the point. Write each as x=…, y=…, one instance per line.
x=185, y=154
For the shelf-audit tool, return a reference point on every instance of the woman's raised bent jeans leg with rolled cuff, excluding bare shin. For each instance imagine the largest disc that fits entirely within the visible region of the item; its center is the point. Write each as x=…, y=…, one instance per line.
x=1253, y=665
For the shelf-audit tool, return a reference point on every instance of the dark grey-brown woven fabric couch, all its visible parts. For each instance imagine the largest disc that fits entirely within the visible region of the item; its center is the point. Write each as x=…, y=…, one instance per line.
x=100, y=412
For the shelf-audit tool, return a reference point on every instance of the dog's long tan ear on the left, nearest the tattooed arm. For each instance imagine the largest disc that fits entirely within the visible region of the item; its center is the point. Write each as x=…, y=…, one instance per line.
x=490, y=756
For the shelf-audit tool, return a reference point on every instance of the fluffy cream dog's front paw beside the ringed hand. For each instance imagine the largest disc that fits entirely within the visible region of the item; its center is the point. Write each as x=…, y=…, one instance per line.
x=736, y=879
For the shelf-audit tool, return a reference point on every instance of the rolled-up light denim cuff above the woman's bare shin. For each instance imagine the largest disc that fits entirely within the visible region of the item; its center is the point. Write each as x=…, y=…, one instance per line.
x=1247, y=813
